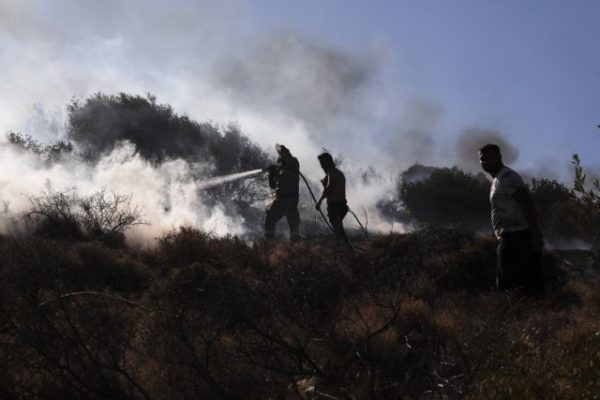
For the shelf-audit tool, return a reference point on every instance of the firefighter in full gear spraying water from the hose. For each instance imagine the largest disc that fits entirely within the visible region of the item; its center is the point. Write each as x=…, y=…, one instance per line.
x=284, y=178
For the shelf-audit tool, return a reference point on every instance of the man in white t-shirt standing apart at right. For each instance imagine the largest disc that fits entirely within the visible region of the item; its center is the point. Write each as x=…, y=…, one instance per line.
x=515, y=224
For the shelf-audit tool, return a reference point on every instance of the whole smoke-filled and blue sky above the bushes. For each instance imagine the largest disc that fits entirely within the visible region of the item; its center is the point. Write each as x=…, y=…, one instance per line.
x=385, y=83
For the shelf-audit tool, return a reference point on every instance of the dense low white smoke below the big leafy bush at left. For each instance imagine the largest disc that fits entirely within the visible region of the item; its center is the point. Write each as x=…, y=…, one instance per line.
x=166, y=194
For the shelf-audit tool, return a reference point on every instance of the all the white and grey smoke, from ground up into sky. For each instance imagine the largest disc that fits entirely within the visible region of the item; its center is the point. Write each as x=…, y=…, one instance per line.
x=205, y=60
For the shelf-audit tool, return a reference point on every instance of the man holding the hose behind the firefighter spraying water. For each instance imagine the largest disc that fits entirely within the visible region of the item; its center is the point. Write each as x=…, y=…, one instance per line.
x=334, y=190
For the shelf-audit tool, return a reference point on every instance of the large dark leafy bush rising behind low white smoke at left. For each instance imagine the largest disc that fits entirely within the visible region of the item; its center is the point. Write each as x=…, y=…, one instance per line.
x=101, y=121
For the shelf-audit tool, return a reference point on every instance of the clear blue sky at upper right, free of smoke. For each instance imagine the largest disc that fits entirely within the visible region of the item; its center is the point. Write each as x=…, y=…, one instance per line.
x=530, y=69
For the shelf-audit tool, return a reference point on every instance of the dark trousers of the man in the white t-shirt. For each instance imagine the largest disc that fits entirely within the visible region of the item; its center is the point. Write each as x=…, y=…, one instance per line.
x=518, y=264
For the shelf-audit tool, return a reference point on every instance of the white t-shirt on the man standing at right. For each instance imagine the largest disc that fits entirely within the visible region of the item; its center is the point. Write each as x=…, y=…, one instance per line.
x=507, y=214
